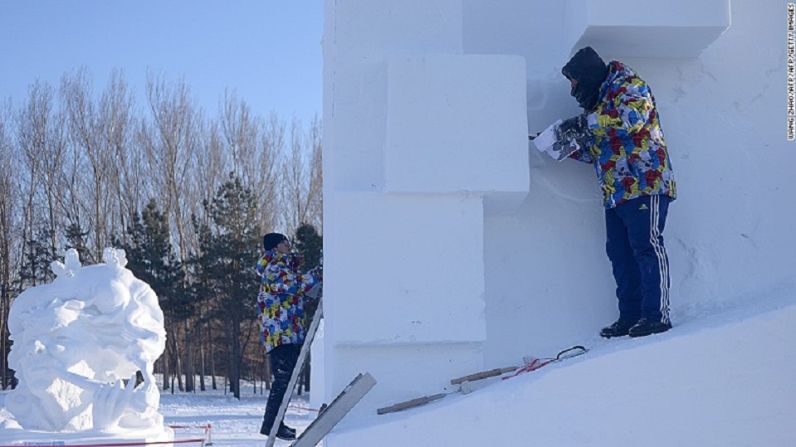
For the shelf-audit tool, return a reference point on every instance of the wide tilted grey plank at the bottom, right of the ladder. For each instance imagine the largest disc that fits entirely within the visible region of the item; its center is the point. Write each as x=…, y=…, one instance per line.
x=334, y=413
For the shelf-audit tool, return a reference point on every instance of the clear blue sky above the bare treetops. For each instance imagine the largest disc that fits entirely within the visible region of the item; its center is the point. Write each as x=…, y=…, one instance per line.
x=268, y=51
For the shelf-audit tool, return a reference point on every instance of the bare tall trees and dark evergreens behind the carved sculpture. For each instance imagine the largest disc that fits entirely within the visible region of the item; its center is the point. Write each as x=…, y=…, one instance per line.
x=188, y=195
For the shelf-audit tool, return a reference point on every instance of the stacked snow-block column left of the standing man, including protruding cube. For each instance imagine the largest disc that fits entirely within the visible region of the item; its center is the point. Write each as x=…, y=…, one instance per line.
x=419, y=136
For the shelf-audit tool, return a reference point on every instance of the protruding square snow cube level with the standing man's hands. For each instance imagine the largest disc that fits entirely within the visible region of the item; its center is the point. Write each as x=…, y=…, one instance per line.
x=456, y=123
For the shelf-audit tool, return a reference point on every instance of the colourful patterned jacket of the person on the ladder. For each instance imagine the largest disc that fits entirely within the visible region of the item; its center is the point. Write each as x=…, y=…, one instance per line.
x=280, y=303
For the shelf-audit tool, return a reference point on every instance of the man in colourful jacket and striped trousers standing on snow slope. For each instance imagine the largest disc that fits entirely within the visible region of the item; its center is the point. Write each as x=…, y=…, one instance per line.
x=619, y=133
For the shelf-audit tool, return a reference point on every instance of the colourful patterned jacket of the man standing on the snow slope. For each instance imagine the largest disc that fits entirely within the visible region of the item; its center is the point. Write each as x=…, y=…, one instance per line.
x=623, y=139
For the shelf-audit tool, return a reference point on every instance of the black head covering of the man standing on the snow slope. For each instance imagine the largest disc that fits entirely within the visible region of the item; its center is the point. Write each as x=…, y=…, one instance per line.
x=588, y=69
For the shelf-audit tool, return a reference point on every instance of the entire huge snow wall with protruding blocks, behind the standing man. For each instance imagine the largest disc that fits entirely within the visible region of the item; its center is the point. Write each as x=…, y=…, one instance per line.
x=450, y=246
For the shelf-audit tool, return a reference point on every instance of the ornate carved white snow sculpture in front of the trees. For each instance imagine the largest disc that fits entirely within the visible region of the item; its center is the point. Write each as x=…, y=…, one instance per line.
x=79, y=344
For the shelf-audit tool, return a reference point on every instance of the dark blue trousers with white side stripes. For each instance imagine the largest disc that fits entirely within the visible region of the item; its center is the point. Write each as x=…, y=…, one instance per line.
x=634, y=244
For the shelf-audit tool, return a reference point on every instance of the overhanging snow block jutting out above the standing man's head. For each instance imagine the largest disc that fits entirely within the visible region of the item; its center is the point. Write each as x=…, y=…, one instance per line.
x=623, y=28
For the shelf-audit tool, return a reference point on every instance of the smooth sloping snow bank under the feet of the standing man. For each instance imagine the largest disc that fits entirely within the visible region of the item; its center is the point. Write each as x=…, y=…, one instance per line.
x=724, y=380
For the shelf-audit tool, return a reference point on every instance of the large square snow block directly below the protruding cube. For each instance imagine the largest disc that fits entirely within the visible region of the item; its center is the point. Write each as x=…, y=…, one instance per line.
x=403, y=269
